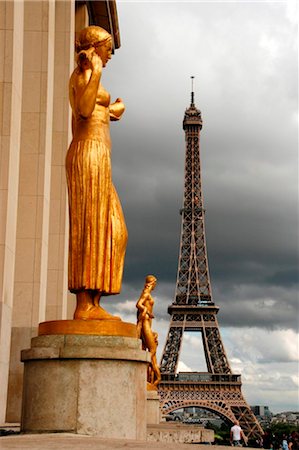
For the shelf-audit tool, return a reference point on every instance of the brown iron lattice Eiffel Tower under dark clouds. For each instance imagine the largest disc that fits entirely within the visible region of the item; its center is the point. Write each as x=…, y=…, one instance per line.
x=193, y=309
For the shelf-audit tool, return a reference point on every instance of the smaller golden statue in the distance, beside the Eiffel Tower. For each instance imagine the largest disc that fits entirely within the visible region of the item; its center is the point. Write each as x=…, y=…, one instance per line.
x=148, y=337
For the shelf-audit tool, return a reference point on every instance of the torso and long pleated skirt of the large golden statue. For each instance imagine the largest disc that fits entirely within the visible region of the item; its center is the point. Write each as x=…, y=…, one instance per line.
x=98, y=234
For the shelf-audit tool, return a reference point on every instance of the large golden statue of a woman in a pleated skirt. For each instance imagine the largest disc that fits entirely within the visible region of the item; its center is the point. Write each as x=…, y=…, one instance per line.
x=98, y=234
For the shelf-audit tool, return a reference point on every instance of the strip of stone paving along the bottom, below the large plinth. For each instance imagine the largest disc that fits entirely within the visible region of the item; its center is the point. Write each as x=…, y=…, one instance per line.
x=65, y=441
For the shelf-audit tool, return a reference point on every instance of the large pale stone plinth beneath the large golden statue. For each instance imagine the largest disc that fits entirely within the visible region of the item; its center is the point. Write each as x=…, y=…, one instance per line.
x=92, y=385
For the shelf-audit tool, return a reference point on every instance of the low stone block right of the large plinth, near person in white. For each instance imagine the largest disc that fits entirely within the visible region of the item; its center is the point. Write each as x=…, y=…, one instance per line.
x=179, y=433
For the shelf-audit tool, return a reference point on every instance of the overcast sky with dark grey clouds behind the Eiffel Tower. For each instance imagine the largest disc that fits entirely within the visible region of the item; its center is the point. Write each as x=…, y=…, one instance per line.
x=244, y=59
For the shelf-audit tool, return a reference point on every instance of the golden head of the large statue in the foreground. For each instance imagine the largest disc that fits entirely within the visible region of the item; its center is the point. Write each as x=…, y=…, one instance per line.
x=96, y=39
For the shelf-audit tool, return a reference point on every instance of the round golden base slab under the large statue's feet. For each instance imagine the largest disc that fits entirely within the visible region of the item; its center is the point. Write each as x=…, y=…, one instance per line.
x=88, y=327
